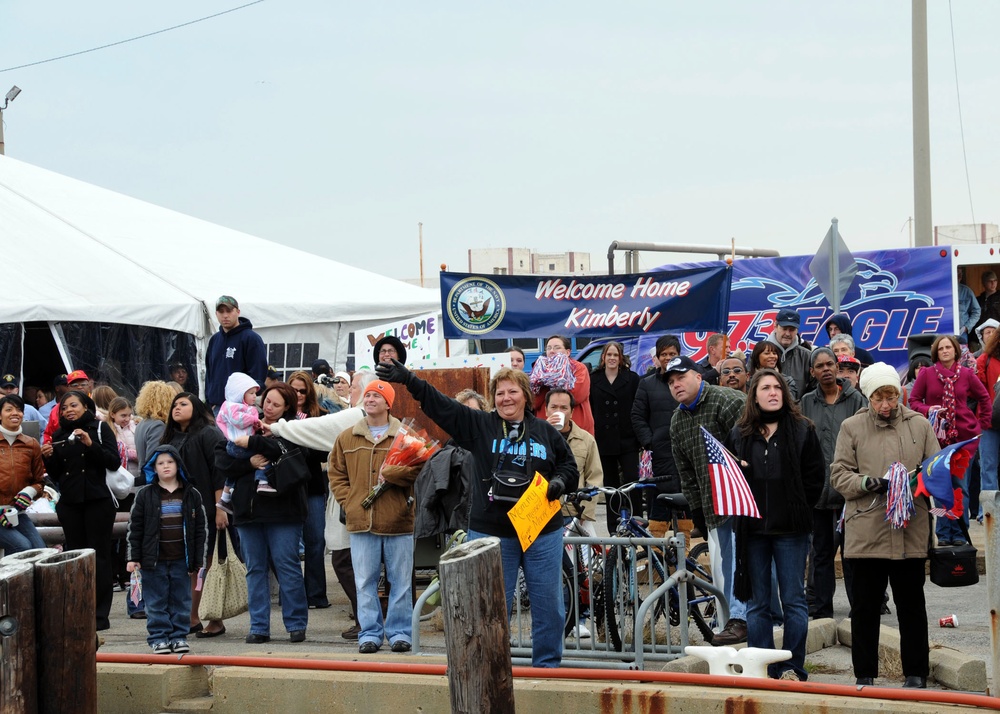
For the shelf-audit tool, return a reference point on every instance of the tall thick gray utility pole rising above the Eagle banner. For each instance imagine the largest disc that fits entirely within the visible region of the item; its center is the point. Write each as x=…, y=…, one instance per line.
x=924, y=226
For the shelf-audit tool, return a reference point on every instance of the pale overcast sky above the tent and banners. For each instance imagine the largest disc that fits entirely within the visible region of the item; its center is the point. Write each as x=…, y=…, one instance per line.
x=337, y=127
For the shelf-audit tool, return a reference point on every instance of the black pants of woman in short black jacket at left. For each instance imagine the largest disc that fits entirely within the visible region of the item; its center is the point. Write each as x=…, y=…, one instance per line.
x=90, y=525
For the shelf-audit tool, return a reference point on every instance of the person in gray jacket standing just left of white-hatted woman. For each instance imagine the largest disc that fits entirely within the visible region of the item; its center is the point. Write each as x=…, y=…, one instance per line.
x=833, y=401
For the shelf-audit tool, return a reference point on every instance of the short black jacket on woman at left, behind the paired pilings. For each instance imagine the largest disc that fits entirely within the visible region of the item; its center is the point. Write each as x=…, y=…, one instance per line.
x=78, y=470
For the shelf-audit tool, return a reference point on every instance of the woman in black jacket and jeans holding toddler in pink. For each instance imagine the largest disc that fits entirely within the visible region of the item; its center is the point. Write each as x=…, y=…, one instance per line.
x=270, y=526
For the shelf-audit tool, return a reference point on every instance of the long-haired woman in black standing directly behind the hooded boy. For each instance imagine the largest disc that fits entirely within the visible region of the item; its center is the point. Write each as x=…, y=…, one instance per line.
x=192, y=431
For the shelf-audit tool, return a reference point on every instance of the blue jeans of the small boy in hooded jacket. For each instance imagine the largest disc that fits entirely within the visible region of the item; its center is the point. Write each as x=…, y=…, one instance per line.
x=166, y=590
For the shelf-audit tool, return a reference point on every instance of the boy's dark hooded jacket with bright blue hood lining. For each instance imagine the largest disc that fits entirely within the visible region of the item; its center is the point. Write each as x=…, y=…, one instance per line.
x=144, y=524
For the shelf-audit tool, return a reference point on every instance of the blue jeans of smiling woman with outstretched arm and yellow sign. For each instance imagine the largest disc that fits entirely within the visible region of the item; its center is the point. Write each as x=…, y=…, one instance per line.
x=542, y=565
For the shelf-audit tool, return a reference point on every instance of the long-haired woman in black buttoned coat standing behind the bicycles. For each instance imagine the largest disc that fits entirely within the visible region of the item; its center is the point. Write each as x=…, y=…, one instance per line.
x=612, y=392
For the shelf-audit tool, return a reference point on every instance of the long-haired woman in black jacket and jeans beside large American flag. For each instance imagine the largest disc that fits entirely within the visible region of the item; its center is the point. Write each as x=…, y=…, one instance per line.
x=782, y=460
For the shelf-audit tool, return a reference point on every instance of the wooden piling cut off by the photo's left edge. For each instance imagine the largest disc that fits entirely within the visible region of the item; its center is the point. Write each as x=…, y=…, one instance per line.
x=18, y=682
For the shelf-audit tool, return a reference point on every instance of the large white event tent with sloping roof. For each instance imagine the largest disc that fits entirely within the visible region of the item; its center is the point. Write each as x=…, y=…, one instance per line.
x=115, y=259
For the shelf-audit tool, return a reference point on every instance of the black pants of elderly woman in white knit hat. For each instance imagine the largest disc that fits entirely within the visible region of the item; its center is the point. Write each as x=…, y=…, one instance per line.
x=906, y=578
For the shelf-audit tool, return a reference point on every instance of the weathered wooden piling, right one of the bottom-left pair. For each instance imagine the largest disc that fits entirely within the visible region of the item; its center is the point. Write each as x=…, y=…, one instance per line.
x=65, y=603
